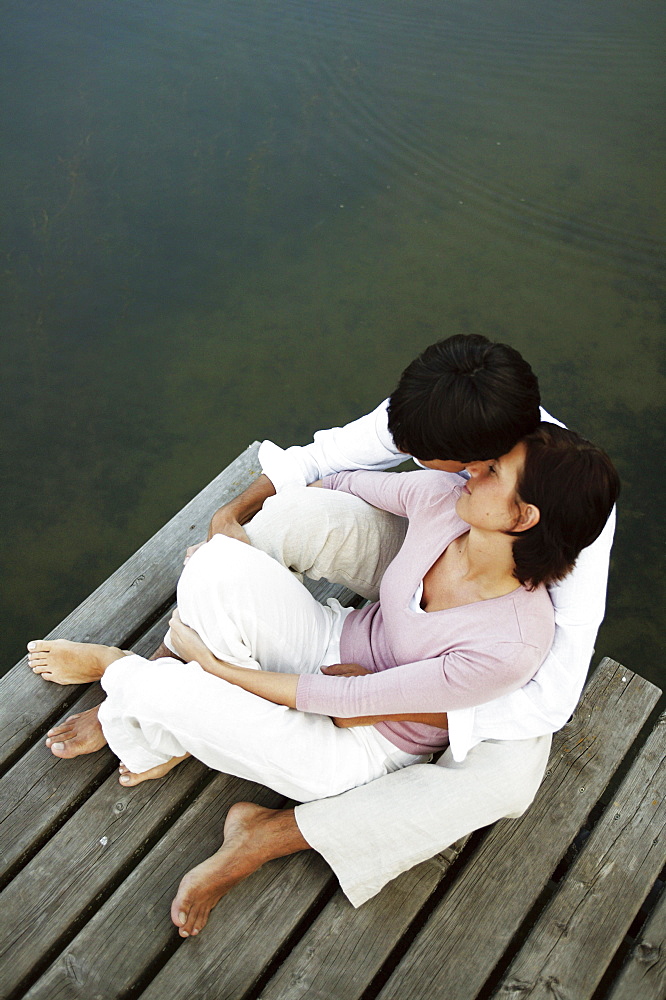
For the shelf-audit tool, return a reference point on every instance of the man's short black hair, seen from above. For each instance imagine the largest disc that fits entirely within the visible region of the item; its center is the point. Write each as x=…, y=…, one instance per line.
x=464, y=399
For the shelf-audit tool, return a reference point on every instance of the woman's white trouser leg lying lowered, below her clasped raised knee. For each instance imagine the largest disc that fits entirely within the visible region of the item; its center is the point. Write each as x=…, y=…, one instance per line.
x=158, y=709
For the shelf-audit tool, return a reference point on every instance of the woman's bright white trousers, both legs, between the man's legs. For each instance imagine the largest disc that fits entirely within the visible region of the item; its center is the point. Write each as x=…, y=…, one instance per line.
x=249, y=611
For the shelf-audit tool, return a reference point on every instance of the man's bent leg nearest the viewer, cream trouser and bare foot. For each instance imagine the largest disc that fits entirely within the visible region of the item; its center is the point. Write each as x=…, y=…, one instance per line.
x=446, y=802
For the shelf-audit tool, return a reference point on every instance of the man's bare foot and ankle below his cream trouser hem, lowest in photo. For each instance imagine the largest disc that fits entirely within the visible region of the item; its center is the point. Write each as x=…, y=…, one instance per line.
x=252, y=836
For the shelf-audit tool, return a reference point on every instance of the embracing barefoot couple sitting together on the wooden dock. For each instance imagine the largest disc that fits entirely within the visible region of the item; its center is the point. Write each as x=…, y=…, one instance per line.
x=486, y=577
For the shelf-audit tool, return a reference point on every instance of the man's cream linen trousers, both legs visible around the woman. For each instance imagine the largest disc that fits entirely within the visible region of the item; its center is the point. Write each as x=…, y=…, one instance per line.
x=369, y=835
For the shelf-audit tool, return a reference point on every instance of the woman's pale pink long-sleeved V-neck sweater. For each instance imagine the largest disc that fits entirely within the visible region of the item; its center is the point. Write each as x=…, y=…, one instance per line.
x=433, y=662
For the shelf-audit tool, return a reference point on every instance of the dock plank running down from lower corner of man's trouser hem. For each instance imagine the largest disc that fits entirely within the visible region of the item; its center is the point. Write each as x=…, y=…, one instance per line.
x=344, y=948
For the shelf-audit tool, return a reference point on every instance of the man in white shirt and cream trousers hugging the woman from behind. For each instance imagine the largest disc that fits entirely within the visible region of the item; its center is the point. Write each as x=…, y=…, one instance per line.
x=464, y=399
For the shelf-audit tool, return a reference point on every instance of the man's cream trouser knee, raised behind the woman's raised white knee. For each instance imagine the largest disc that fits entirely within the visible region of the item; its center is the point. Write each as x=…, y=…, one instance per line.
x=326, y=533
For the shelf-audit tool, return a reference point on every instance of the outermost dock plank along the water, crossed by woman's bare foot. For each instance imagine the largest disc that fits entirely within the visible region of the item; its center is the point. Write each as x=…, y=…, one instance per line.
x=117, y=608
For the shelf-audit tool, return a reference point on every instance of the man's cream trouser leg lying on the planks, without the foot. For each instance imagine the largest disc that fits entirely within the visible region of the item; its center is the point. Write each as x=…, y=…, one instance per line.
x=372, y=834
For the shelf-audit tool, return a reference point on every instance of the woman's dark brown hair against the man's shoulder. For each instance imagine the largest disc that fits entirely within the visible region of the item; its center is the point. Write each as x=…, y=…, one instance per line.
x=575, y=485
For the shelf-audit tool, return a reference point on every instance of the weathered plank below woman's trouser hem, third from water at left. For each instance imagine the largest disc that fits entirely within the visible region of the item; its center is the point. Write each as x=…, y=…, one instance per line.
x=84, y=861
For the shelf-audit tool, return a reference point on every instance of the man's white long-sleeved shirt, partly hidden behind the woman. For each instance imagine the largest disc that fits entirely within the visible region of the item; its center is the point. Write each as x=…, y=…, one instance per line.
x=547, y=701
